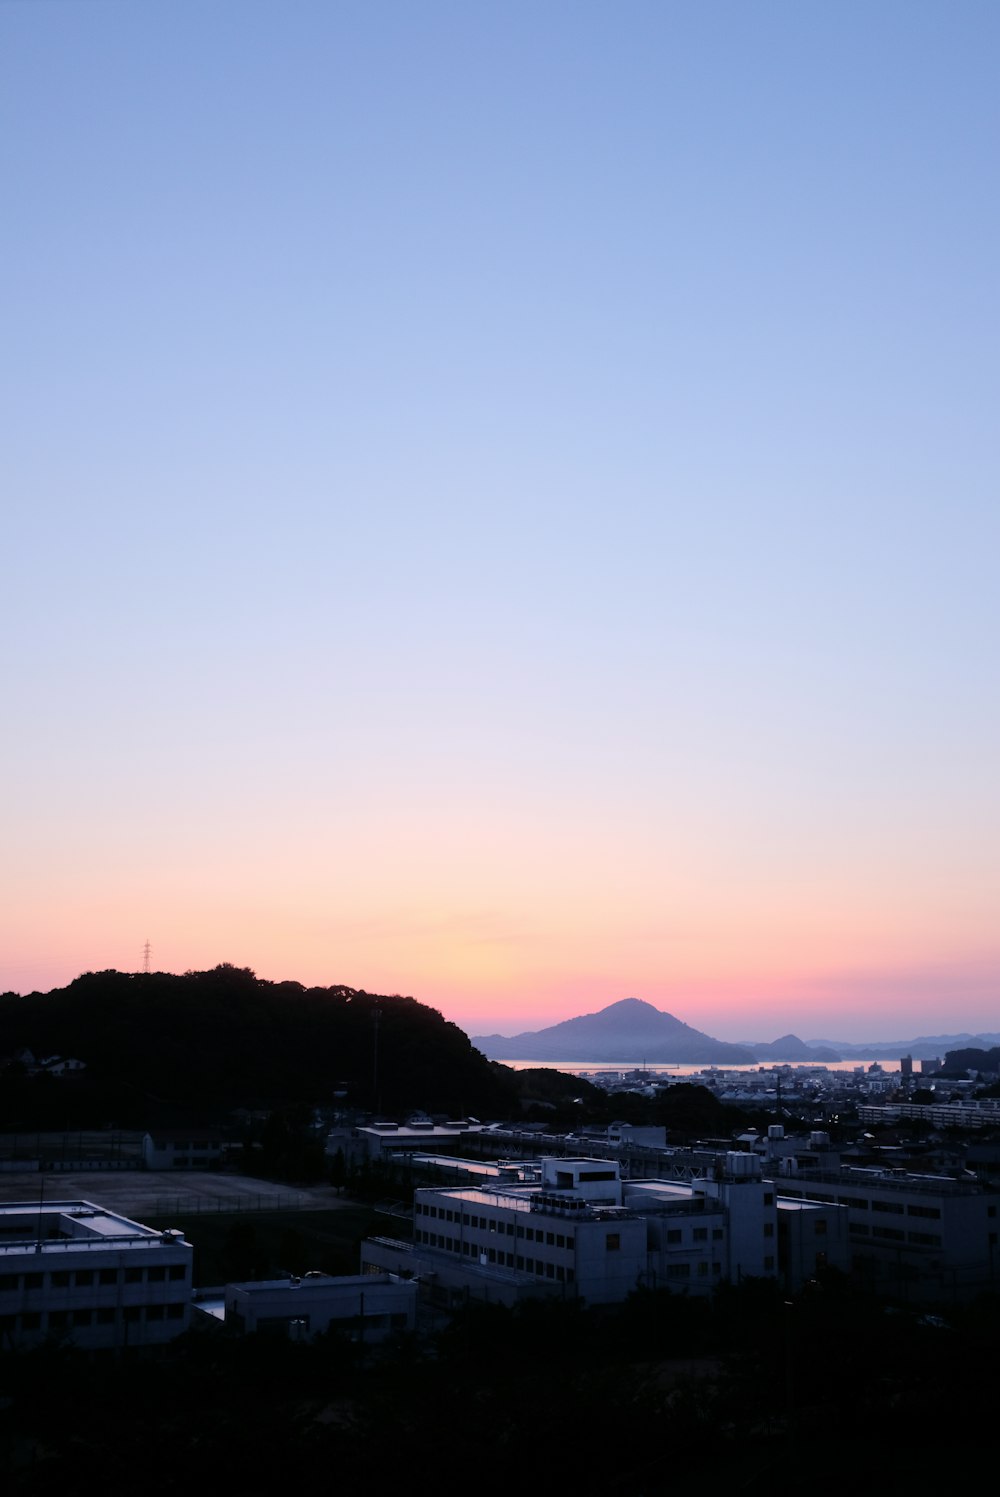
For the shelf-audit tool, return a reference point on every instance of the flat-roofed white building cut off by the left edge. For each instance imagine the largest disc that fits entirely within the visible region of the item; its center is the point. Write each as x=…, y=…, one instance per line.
x=70, y=1269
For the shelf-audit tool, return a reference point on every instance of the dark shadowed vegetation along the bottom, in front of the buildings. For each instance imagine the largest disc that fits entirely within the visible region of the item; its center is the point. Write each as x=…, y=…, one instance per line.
x=629, y=1399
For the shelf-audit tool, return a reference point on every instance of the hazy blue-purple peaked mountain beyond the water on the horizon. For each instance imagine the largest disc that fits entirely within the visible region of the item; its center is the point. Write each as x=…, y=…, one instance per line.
x=625, y=1031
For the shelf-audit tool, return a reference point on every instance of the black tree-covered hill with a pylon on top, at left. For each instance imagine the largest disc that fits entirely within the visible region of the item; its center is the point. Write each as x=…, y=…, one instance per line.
x=227, y=1038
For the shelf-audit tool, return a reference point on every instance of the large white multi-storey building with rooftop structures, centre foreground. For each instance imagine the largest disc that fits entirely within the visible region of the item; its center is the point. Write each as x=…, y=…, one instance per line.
x=577, y=1230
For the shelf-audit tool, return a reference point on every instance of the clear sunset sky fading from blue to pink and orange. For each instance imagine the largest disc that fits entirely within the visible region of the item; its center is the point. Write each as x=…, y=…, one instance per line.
x=502, y=504
